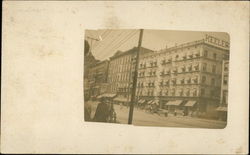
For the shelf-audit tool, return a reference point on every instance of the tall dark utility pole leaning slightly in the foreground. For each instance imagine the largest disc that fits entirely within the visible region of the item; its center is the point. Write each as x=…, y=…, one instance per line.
x=131, y=109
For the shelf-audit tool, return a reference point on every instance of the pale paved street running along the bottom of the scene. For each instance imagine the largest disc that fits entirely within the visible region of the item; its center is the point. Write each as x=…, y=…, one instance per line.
x=142, y=118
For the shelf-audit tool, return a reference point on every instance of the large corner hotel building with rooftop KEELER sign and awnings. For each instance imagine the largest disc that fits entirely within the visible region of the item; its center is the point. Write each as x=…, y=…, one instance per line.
x=188, y=75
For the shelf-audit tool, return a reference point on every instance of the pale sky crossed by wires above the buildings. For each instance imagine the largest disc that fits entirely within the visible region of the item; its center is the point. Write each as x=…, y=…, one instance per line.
x=114, y=40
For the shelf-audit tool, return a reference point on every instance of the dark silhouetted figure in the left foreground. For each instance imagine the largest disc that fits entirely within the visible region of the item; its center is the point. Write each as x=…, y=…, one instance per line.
x=102, y=111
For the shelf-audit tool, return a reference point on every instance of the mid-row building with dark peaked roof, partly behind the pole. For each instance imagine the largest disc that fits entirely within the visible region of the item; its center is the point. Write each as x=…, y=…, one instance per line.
x=121, y=70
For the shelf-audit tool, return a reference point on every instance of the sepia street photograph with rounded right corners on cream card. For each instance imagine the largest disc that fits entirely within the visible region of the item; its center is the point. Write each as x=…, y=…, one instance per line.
x=162, y=78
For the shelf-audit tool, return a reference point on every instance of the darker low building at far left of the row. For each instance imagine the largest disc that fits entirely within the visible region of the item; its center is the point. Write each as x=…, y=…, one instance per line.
x=97, y=76
